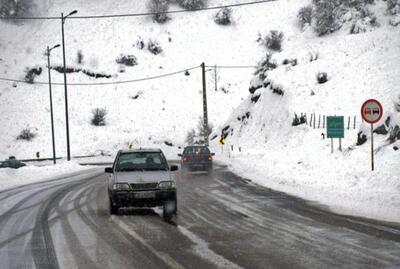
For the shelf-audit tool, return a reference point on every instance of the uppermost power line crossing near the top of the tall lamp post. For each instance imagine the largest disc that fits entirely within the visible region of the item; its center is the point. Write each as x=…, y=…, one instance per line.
x=137, y=14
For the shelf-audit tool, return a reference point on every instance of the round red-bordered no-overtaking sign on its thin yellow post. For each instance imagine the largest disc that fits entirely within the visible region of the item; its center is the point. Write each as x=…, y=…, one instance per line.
x=372, y=112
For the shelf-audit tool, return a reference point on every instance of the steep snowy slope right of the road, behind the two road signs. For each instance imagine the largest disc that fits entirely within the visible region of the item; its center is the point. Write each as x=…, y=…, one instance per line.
x=268, y=149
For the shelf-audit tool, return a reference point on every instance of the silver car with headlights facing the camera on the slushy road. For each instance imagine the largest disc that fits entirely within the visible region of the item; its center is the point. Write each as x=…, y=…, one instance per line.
x=142, y=178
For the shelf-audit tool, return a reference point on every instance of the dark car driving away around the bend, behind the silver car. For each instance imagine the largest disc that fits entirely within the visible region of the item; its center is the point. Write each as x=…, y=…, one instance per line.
x=196, y=158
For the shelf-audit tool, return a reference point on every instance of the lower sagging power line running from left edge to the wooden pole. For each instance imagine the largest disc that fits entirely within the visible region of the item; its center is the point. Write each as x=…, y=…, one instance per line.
x=104, y=83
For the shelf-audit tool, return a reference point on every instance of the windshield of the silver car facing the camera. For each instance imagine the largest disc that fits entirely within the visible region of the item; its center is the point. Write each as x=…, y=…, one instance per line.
x=141, y=161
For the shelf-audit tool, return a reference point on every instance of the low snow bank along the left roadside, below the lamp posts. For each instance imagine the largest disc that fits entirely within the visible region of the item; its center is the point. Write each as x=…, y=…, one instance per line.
x=10, y=178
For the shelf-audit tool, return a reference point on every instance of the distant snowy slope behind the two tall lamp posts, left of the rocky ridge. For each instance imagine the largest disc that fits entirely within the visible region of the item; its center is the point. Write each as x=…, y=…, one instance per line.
x=166, y=108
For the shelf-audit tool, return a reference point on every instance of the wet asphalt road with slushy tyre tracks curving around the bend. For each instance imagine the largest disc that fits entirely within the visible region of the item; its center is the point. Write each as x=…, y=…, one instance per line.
x=223, y=222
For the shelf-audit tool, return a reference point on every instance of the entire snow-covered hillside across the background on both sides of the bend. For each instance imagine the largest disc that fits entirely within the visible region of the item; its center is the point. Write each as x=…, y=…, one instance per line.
x=291, y=159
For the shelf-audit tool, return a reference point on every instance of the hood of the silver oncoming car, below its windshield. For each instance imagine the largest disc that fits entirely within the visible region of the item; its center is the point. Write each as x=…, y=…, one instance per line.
x=141, y=177
